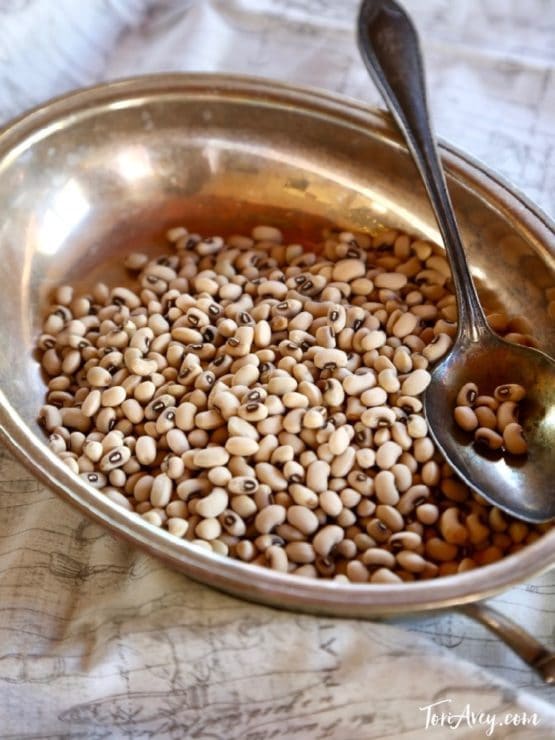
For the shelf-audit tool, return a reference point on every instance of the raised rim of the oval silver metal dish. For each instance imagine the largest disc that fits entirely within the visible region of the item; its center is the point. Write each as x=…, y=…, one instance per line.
x=233, y=576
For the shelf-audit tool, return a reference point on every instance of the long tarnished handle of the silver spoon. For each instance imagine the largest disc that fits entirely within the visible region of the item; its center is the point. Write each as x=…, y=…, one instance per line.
x=388, y=43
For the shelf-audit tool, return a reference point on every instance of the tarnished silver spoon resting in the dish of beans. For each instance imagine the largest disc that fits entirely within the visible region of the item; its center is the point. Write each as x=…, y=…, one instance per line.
x=524, y=486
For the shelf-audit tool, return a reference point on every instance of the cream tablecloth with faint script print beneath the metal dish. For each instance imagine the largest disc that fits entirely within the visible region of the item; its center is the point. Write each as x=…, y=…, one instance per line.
x=100, y=641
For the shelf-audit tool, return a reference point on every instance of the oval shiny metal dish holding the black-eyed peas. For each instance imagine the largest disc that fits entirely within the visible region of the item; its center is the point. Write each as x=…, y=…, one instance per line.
x=92, y=175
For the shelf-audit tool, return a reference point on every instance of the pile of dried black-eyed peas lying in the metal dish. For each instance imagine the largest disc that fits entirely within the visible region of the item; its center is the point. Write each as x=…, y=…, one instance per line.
x=263, y=401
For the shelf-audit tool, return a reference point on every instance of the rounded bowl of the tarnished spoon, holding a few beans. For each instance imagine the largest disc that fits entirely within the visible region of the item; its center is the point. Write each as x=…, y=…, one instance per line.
x=523, y=485
